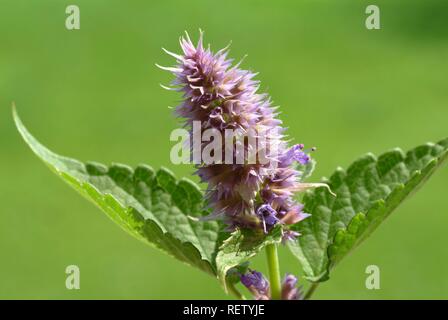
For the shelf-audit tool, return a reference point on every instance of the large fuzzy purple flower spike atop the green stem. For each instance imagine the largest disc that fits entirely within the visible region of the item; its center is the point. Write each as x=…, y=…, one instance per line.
x=221, y=96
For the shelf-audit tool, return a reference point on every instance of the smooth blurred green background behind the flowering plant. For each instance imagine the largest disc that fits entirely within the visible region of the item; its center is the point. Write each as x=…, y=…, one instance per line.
x=94, y=94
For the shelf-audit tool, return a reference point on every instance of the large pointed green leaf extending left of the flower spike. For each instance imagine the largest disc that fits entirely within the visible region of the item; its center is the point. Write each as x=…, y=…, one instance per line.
x=152, y=206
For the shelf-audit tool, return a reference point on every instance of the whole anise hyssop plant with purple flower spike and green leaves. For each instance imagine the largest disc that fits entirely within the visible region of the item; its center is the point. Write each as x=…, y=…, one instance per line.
x=253, y=180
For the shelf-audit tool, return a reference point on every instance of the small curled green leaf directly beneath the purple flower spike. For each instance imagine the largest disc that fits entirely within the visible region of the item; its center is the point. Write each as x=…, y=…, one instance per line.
x=240, y=247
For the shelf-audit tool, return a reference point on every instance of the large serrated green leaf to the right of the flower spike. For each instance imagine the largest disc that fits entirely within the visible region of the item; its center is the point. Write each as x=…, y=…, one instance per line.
x=367, y=193
